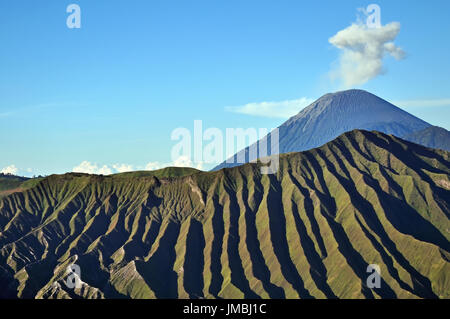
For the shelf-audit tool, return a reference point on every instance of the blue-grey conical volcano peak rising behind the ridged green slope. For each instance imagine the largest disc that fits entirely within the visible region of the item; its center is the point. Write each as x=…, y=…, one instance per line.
x=336, y=113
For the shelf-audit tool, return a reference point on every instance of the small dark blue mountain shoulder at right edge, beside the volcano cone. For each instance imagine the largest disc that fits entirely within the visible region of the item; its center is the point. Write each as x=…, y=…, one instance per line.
x=433, y=136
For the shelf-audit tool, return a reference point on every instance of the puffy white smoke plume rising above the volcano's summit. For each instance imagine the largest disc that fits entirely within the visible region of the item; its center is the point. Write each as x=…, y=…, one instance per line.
x=363, y=50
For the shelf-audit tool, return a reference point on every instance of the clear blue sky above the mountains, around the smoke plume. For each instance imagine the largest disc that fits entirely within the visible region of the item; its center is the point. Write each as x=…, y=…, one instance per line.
x=113, y=91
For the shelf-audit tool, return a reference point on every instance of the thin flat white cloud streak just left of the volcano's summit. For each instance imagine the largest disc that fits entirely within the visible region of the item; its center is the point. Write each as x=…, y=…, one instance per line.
x=280, y=109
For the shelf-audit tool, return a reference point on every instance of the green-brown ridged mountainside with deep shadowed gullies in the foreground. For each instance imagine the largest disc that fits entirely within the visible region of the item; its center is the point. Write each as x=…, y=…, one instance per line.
x=309, y=231
